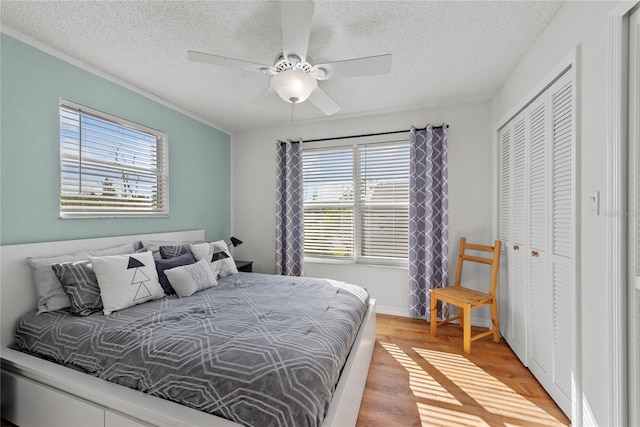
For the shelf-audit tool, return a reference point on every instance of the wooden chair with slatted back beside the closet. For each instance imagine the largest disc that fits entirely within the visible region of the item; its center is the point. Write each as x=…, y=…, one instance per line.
x=466, y=299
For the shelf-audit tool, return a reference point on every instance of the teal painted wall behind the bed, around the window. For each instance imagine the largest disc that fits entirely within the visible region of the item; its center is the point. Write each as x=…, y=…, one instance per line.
x=31, y=84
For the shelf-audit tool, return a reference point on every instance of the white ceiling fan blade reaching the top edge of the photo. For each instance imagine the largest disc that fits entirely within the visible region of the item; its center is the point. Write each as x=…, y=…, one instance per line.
x=296, y=27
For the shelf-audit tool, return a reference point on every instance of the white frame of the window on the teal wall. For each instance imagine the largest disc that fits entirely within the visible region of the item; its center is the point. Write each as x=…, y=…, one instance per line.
x=161, y=193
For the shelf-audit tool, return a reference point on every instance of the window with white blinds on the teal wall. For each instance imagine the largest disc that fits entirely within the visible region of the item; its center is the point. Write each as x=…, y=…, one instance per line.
x=110, y=167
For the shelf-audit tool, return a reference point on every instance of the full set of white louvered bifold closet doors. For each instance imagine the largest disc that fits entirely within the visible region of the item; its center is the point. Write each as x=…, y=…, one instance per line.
x=537, y=226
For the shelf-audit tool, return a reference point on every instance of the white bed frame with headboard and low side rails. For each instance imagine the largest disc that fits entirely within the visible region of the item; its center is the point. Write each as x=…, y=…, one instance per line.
x=38, y=393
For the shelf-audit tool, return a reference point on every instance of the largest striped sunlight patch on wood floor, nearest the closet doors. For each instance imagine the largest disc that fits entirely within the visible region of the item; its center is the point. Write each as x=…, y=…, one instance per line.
x=490, y=393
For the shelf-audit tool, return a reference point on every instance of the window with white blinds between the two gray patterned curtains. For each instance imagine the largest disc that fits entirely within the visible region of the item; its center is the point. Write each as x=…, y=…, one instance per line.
x=356, y=202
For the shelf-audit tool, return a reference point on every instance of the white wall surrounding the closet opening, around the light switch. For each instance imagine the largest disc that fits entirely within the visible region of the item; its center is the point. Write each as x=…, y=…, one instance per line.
x=581, y=25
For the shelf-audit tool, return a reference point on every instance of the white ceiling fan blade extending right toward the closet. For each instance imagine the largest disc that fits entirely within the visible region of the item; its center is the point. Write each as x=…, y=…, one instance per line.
x=371, y=65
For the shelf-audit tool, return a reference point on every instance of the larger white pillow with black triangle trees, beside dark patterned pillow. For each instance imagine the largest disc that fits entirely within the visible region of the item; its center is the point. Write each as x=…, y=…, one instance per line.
x=126, y=280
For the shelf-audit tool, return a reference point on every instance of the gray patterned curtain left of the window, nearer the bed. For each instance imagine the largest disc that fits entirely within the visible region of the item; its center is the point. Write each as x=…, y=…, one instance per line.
x=289, y=209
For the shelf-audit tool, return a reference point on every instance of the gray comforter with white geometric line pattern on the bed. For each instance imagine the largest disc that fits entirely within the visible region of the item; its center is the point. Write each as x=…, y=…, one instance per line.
x=257, y=349
